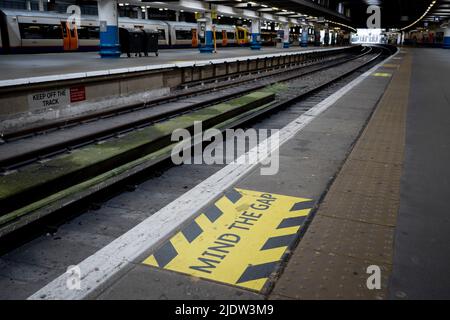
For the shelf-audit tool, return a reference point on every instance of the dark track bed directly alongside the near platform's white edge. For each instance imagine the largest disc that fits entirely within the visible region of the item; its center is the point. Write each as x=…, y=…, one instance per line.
x=68, y=240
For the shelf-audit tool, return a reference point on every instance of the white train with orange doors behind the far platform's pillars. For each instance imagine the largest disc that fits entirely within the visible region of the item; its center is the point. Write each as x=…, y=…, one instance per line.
x=24, y=31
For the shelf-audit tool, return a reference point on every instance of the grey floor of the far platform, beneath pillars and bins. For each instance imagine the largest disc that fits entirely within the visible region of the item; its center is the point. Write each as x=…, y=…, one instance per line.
x=35, y=65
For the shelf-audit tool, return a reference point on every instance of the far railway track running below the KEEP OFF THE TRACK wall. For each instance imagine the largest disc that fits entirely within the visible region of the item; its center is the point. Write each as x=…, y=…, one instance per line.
x=26, y=146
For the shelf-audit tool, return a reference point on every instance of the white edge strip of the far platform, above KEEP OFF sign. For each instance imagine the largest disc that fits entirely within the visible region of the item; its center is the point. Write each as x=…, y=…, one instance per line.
x=87, y=74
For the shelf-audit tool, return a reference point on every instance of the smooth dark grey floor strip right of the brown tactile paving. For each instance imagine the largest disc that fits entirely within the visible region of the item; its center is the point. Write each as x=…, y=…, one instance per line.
x=422, y=237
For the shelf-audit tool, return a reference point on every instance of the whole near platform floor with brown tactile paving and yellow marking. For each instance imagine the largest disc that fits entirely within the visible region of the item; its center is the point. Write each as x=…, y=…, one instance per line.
x=378, y=155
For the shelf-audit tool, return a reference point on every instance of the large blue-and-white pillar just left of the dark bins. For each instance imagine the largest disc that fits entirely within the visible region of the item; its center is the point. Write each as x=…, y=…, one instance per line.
x=109, y=31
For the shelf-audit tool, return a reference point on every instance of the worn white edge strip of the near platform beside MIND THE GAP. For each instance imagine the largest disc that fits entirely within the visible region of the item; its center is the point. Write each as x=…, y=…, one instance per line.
x=98, y=268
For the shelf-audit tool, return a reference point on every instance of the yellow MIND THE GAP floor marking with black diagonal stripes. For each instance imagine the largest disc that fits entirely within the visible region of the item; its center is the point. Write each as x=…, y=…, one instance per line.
x=240, y=240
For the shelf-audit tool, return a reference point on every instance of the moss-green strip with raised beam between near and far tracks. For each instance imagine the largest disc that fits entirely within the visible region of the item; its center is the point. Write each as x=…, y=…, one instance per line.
x=55, y=181
